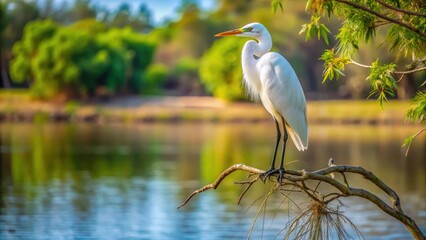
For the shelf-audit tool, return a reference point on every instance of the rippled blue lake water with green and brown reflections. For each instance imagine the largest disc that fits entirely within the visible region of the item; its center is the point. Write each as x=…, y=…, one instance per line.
x=88, y=181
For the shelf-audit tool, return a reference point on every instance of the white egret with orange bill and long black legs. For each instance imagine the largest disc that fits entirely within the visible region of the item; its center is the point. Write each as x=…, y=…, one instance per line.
x=269, y=77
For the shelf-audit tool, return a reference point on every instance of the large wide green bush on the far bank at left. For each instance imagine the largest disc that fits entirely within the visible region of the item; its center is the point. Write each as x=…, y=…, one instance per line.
x=77, y=60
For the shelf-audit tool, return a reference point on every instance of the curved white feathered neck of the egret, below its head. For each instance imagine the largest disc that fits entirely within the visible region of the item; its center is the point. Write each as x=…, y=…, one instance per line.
x=251, y=53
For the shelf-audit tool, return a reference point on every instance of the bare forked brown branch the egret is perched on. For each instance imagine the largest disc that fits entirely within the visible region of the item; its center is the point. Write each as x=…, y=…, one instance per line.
x=297, y=179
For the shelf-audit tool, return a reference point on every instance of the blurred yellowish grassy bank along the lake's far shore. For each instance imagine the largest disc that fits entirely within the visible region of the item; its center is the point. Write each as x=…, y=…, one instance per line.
x=18, y=106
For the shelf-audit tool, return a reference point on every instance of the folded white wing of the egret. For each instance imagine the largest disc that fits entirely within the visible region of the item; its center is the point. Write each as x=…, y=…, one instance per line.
x=284, y=91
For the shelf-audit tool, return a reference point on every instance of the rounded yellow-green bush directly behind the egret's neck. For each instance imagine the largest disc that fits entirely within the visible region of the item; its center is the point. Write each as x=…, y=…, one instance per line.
x=220, y=69
